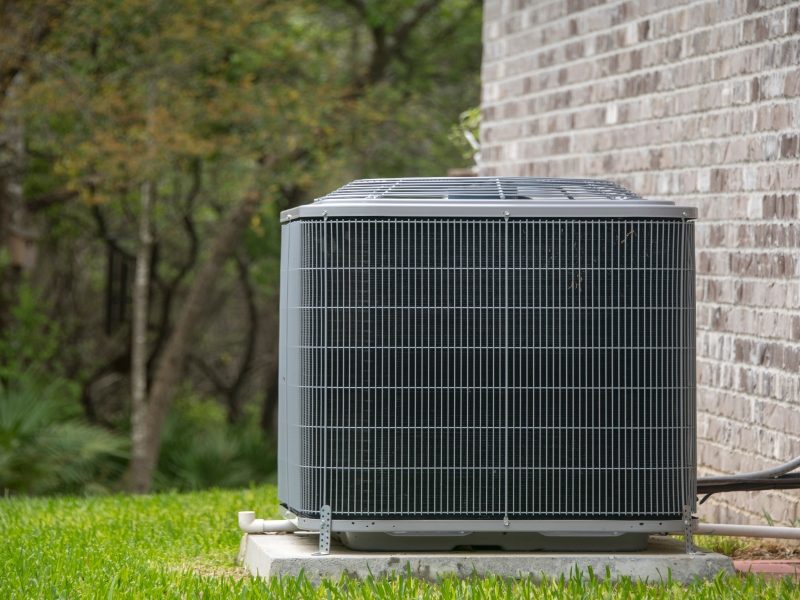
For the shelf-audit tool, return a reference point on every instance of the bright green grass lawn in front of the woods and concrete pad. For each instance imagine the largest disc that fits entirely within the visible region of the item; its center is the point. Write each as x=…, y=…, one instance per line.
x=185, y=546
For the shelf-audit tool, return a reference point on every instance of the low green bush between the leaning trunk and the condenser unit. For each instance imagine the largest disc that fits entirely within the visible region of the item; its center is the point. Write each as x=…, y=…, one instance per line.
x=201, y=450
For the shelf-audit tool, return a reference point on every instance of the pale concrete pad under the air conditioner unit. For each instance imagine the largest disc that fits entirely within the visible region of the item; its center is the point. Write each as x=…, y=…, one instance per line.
x=270, y=555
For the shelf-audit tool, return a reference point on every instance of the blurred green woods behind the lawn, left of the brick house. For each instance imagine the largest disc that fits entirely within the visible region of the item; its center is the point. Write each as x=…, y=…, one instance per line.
x=146, y=149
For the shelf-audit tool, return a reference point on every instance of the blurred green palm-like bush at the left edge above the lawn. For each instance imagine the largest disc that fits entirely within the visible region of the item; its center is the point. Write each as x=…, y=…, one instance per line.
x=44, y=446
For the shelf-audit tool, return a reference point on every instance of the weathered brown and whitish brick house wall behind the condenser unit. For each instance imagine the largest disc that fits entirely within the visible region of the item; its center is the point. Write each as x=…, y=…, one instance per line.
x=697, y=101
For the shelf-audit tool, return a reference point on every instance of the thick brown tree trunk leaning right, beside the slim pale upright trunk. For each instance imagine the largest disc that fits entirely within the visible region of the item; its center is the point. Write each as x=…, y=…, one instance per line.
x=171, y=363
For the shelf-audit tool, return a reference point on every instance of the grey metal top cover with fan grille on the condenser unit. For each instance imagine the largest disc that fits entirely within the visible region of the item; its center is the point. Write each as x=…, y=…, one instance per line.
x=485, y=197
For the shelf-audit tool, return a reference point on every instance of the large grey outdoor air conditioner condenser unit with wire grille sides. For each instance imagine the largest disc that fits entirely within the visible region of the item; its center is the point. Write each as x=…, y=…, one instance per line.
x=492, y=361
